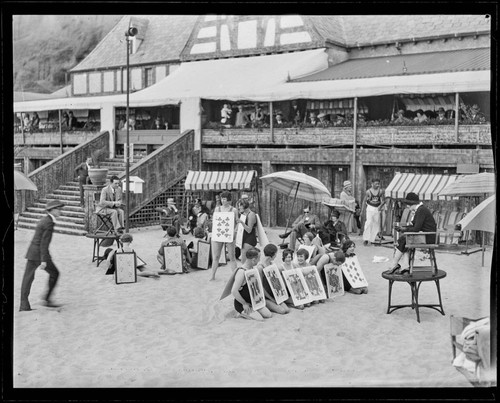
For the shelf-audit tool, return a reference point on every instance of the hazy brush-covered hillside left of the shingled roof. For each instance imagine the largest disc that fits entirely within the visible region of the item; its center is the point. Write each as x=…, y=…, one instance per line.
x=46, y=47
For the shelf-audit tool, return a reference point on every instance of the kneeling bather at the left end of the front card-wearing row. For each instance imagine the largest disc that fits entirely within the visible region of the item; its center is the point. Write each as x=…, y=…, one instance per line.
x=241, y=292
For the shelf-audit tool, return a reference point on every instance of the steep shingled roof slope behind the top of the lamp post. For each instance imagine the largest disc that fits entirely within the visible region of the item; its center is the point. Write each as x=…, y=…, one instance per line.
x=165, y=38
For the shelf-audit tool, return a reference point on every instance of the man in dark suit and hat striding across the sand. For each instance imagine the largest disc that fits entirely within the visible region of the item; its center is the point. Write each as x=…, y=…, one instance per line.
x=39, y=257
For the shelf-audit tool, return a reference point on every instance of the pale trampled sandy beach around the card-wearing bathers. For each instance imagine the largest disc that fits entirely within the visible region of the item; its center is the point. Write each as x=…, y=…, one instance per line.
x=174, y=331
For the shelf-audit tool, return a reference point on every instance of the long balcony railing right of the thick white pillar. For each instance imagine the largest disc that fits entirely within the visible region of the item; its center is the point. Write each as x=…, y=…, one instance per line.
x=479, y=134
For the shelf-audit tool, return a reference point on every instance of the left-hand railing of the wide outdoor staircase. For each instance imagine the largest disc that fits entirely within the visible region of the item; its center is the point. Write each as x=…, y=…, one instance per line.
x=62, y=169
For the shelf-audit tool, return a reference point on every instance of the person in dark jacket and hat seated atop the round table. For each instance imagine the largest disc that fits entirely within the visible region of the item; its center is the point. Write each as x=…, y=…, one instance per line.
x=423, y=220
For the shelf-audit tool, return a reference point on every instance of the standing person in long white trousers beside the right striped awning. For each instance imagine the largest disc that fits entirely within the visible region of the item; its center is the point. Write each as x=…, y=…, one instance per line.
x=372, y=206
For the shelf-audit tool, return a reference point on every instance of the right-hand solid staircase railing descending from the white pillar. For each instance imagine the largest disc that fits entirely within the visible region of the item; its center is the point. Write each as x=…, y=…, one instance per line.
x=162, y=169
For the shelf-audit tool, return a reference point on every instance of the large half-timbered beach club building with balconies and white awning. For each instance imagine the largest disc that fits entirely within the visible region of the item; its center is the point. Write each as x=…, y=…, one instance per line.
x=336, y=97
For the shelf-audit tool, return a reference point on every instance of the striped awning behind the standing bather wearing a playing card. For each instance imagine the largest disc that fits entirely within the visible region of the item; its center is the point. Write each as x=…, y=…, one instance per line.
x=219, y=180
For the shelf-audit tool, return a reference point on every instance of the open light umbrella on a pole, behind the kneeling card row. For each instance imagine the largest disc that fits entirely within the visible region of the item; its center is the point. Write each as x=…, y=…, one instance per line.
x=299, y=185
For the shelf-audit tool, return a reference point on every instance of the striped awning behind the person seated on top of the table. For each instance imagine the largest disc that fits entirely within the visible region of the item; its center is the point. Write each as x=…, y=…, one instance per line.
x=426, y=186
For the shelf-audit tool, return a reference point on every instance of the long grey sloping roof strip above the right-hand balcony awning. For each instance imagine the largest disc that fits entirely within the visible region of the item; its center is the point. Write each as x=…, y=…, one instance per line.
x=420, y=63
